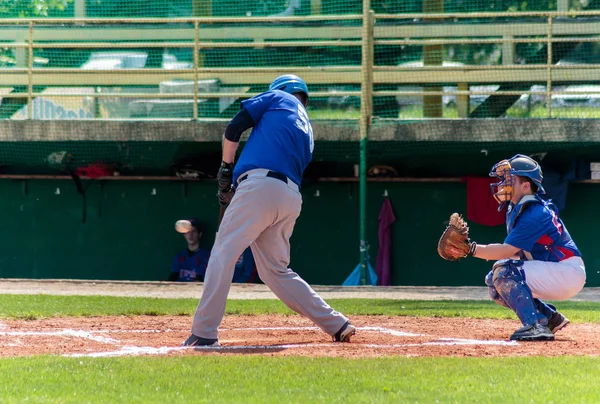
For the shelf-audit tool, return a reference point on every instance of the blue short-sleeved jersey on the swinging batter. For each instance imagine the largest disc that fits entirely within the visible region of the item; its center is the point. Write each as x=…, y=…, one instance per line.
x=282, y=138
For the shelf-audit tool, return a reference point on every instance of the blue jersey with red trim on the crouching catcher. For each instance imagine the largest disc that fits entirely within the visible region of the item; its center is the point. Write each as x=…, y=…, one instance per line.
x=533, y=226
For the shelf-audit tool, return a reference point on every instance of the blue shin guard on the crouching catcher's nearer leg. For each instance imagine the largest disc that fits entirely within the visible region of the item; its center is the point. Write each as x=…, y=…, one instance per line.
x=508, y=280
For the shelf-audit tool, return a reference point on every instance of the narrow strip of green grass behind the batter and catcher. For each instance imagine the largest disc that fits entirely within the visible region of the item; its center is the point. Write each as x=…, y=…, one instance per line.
x=40, y=306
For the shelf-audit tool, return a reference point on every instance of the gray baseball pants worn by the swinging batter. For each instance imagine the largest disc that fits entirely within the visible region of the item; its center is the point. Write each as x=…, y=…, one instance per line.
x=261, y=215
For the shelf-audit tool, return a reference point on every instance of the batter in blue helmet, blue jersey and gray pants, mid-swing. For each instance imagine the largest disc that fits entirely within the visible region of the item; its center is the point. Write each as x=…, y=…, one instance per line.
x=263, y=193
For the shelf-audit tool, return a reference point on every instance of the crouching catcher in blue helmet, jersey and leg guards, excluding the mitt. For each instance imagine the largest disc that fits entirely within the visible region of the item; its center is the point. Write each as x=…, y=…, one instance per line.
x=538, y=259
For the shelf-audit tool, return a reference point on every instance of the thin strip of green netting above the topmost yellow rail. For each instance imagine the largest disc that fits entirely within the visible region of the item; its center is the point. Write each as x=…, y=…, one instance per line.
x=186, y=8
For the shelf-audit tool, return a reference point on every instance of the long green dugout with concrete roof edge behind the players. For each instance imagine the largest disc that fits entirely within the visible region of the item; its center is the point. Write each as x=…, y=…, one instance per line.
x=121, y=227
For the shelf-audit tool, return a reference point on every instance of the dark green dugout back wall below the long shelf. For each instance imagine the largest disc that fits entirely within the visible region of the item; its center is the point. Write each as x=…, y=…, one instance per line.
x=129, y=234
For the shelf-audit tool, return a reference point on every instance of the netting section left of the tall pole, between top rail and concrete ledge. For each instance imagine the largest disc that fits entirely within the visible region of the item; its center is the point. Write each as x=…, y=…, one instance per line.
x=147, y=70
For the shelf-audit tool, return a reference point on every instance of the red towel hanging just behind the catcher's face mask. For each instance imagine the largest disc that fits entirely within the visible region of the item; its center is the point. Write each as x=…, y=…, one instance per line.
x=482, y=208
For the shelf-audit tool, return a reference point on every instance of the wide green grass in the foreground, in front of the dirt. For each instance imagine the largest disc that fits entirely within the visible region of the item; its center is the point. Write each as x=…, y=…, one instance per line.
x=252, y=379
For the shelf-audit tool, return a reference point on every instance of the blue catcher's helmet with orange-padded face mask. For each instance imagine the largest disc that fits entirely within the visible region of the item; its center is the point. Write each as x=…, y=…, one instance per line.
x=507, y=170
